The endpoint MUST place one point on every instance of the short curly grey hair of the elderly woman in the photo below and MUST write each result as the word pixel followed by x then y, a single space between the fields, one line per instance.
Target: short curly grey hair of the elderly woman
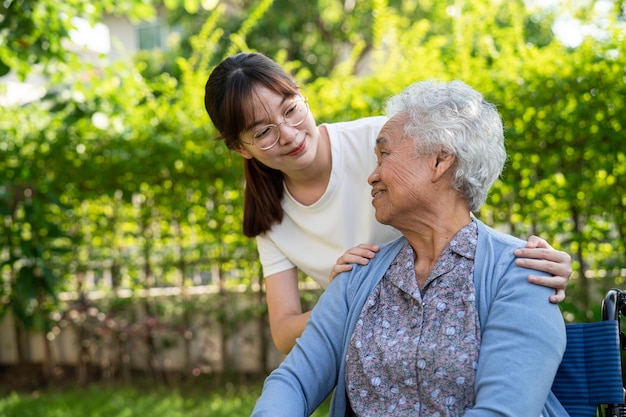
pixel 455 118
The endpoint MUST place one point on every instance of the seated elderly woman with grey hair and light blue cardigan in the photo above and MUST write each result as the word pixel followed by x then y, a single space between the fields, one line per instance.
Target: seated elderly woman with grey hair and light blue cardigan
pixel 441 323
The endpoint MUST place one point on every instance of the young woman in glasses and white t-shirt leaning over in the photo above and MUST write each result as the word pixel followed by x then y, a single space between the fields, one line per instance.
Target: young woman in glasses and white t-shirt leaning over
pixel 306 198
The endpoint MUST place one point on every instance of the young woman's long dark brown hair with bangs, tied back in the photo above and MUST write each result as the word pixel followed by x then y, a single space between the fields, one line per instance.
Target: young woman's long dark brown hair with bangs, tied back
pixel 228 94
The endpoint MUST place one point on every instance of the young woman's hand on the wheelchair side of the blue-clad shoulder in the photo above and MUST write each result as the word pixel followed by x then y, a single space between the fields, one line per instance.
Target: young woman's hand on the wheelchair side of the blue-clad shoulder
pixel 538 254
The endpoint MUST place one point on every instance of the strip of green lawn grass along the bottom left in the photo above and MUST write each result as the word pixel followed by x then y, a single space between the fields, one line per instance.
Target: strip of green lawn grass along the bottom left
pixel 131 401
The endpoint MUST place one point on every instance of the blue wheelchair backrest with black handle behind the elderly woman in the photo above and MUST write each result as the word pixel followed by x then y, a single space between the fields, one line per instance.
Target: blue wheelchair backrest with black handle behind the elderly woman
pixel 589 381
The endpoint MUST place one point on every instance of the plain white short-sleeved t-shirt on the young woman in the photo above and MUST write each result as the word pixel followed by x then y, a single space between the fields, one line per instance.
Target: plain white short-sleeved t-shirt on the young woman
pixel 312 237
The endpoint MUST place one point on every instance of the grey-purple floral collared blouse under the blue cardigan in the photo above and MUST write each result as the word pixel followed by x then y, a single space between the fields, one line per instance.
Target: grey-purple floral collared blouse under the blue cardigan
pixel 414 351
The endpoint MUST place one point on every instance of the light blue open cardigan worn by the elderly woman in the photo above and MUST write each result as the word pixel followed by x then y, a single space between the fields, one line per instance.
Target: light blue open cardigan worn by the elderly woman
pixel 523 339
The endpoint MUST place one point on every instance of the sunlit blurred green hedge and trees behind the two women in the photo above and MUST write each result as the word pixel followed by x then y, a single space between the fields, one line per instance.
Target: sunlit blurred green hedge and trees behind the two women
pixel 112 186
